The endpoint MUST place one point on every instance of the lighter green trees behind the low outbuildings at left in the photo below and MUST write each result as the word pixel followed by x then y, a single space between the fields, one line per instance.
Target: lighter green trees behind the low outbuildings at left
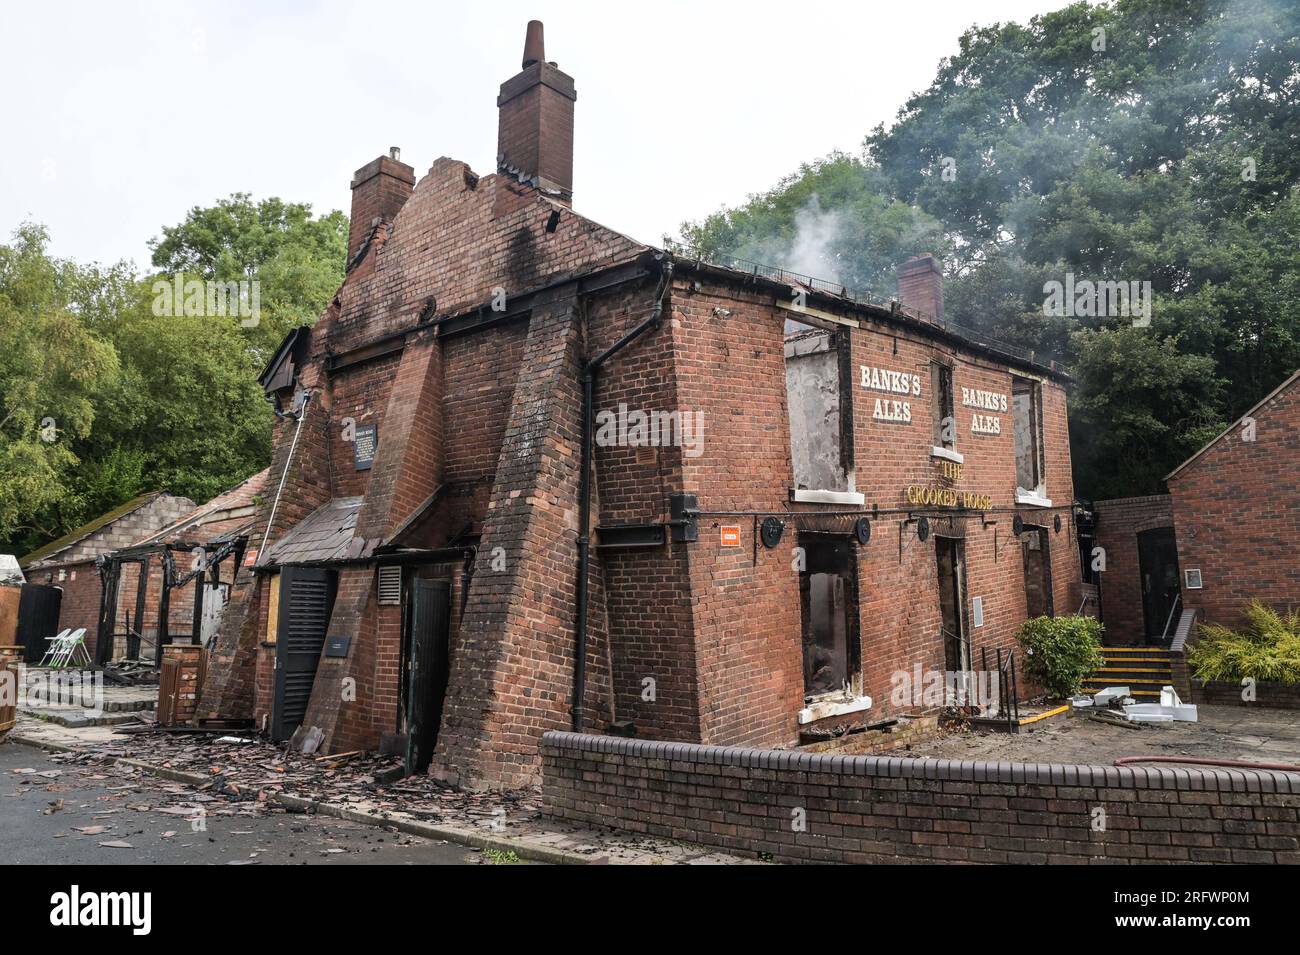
pixel 102 398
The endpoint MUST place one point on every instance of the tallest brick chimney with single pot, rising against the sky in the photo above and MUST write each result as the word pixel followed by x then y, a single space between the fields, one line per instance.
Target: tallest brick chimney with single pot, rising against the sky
pixel 535 138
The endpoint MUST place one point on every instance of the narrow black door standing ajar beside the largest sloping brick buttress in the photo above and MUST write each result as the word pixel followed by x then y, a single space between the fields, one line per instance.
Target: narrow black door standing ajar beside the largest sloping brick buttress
pixel 427 668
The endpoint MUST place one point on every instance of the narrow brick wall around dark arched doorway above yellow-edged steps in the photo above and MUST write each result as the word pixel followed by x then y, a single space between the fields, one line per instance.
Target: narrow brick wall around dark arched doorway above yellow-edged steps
pixel 1119 524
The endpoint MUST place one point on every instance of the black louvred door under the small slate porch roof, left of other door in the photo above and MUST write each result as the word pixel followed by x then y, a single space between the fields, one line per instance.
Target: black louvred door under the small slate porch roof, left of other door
pixel 306 600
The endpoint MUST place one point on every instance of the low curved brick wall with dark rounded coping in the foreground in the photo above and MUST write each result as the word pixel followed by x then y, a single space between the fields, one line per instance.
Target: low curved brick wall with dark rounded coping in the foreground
pixel 889 810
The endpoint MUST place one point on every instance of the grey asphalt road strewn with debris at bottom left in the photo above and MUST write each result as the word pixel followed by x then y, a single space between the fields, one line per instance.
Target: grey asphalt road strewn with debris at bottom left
pixel 44 813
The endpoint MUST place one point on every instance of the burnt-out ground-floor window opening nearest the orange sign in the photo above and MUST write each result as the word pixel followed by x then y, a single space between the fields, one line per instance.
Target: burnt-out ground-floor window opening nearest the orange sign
pixel 829 602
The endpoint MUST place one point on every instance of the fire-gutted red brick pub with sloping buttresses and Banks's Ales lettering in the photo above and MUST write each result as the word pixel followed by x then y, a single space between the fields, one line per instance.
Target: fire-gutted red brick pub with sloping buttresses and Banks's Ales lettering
pixel 532 475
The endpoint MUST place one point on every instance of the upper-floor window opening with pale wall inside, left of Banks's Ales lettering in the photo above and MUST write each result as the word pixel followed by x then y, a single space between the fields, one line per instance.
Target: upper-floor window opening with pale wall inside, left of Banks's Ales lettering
pixel 817 380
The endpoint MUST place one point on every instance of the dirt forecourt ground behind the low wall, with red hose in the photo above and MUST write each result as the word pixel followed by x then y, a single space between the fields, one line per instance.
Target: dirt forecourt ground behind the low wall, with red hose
pixel 1246 733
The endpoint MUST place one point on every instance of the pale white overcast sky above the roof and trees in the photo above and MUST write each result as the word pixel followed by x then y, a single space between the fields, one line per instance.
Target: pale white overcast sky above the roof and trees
pixel 122 116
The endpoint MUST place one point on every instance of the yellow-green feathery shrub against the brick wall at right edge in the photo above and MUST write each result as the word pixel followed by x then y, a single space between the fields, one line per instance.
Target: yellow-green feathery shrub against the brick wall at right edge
pixel 1267 650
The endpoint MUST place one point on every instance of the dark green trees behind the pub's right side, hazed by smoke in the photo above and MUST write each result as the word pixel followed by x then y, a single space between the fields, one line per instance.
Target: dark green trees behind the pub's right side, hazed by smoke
pixel 1150 141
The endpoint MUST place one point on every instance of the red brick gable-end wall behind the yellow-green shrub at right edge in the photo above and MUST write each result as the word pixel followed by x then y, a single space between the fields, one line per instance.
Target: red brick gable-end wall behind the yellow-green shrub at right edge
pixel 1237 509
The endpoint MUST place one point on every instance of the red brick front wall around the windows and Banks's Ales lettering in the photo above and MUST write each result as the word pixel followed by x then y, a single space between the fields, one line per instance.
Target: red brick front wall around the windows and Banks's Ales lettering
pixel 747 614
